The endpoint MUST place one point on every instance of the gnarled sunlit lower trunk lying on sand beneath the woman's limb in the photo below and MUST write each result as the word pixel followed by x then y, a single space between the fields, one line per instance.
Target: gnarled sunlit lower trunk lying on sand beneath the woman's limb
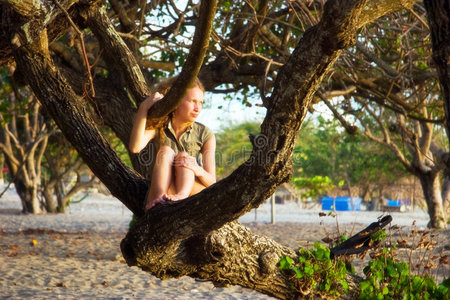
pixel 229 255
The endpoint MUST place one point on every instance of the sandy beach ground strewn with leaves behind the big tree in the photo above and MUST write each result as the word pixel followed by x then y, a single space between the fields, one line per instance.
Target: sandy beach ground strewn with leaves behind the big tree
pixel 77 255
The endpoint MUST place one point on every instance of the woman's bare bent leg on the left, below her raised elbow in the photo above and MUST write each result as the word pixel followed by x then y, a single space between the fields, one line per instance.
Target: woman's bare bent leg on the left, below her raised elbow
pixel 161 176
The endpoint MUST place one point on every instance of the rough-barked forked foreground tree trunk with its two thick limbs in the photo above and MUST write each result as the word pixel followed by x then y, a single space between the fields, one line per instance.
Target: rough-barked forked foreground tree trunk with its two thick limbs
pixel 198 236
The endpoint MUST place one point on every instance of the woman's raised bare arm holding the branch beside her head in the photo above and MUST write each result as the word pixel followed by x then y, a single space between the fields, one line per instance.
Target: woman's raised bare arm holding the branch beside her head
pixel 140 136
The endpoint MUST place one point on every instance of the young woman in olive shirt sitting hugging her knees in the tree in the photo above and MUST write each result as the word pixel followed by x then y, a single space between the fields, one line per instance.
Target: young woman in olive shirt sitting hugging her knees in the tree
pixel 184 160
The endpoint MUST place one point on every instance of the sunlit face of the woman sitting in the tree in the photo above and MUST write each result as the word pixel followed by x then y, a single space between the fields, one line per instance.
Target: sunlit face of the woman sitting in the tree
pixel 190 106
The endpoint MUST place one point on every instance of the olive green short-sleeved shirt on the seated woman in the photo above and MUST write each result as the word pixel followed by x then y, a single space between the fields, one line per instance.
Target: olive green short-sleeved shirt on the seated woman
pixel 190 141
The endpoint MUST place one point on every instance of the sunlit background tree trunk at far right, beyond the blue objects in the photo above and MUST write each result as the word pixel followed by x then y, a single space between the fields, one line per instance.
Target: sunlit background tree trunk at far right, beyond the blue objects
pixel 432 193
